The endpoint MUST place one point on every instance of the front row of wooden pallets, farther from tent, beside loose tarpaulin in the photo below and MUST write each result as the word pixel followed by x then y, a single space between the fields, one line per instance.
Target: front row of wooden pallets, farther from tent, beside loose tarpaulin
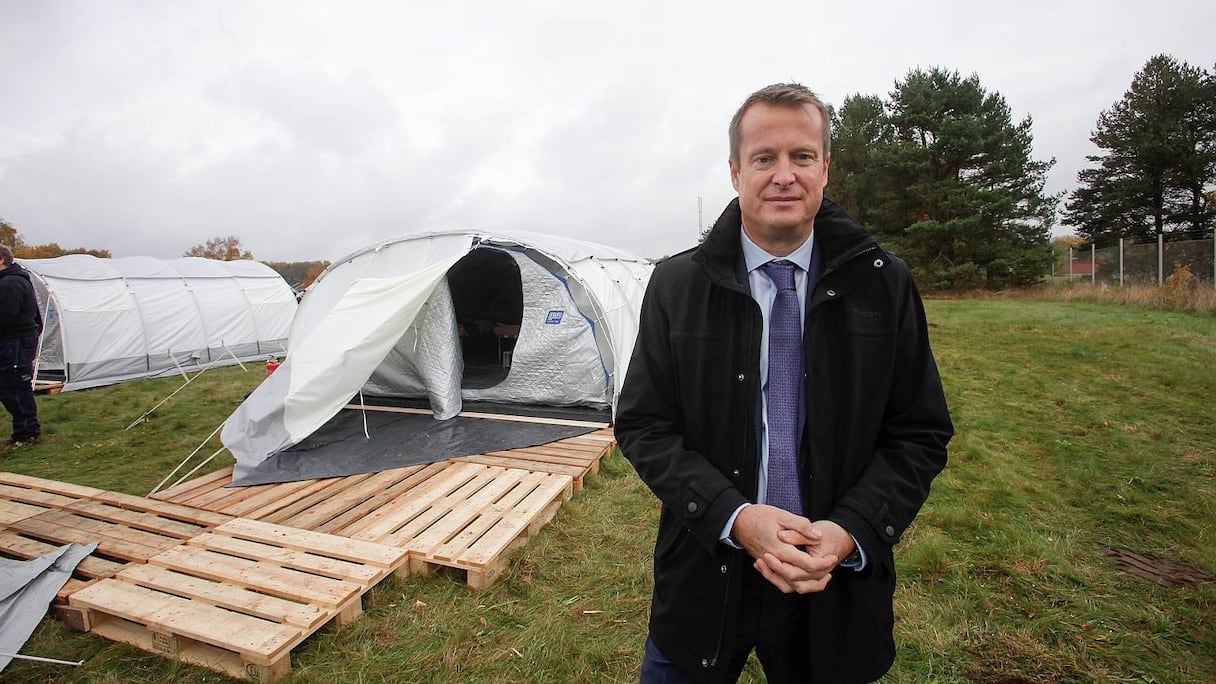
pixel 222 592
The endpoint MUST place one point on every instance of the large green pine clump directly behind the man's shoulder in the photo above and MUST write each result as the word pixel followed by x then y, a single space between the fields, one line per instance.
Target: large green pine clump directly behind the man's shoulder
pixel 952 184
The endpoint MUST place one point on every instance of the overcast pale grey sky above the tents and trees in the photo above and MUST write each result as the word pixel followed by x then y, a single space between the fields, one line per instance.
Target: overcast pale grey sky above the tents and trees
pixel 313 130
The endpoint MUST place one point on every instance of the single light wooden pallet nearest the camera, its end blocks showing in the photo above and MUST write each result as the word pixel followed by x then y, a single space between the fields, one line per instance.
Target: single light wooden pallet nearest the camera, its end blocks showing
pixel 239 598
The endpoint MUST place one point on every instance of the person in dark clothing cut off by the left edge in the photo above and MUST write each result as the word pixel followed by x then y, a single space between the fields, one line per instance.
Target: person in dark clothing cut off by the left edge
pixel 21 324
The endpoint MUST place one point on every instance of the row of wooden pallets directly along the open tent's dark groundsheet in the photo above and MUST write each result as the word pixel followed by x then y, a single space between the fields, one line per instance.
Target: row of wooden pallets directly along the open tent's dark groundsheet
pixel 468 513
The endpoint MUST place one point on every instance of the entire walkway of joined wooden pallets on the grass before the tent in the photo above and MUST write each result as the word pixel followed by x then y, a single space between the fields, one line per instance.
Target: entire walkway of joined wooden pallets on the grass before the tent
pixel 233 579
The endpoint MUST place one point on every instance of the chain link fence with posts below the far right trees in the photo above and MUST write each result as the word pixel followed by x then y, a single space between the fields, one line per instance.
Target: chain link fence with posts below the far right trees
pixel 1129 263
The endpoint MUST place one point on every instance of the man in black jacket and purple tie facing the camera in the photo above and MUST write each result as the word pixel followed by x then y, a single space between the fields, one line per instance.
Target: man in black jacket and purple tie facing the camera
pixel 806 582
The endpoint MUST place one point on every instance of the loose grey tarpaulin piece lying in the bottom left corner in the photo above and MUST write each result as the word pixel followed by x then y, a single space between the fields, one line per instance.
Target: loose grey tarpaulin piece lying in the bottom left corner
pixel 27 588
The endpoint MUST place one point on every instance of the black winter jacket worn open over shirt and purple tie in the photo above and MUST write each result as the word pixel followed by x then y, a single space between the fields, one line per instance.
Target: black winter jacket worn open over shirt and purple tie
pixel 877 429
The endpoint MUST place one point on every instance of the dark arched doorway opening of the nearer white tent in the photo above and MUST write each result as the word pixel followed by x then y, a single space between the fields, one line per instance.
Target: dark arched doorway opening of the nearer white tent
pixel 488 300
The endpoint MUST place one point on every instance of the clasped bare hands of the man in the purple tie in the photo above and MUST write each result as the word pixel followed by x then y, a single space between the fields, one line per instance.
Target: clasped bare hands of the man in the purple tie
pixel 791 552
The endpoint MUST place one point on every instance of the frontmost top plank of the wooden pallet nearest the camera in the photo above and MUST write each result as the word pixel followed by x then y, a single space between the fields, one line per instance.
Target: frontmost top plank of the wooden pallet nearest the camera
pixel 258 640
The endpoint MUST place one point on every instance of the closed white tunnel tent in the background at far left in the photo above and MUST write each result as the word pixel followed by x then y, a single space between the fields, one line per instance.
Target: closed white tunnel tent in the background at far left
pixel 109 321
